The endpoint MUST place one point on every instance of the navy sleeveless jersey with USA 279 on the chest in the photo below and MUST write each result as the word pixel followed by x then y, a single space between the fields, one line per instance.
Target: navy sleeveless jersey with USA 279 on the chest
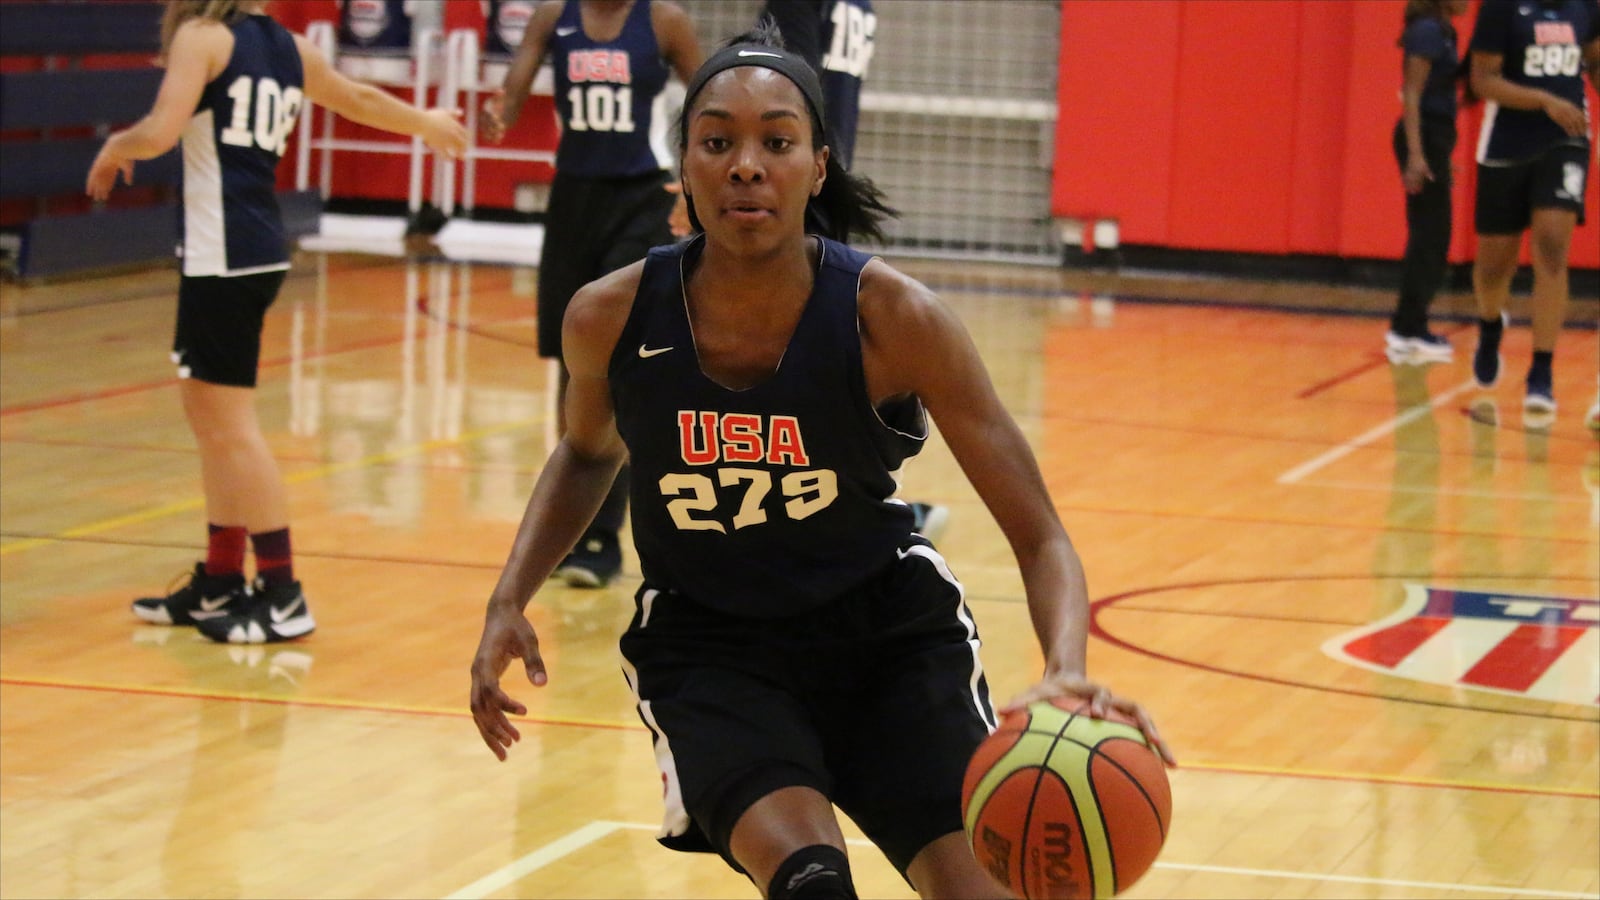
pixel 770 500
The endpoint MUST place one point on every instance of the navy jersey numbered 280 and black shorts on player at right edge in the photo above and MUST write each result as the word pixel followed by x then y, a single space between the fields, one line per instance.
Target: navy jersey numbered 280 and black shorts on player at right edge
pixel 1526 159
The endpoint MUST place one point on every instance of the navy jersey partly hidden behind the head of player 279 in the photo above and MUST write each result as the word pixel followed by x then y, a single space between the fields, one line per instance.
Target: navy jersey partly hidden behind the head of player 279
pixel 836 38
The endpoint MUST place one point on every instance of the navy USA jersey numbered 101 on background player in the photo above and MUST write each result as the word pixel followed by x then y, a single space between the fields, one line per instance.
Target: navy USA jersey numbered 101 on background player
pixel 609 98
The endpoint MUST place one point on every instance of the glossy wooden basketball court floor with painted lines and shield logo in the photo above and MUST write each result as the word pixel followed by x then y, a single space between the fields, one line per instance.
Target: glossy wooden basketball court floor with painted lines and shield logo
pixel 1247 478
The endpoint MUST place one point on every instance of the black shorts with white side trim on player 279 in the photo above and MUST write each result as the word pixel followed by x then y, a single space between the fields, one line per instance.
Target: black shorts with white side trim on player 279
pixel 878 701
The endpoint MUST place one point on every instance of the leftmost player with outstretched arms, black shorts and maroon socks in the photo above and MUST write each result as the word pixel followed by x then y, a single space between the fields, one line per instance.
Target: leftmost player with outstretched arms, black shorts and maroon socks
pixel 233 92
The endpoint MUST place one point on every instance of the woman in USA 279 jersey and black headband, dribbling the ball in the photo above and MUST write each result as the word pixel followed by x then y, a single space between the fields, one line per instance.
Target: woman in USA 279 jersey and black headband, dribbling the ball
pixel 794 643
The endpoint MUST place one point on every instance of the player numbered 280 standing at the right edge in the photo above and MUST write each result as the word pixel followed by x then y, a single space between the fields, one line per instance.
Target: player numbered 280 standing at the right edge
pixel 1529 62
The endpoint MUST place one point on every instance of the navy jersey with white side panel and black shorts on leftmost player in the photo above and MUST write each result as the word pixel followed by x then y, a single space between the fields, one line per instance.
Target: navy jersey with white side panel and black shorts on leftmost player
pixel 234 249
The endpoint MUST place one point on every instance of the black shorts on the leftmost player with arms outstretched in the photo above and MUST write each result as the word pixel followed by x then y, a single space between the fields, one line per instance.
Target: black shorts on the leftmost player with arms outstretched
pixel 218 335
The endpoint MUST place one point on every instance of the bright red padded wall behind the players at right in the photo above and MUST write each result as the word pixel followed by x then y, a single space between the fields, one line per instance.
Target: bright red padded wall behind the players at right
pixel 1249 126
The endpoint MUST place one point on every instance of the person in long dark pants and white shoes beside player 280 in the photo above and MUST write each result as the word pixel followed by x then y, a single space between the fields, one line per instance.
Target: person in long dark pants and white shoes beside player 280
pixel 1425 140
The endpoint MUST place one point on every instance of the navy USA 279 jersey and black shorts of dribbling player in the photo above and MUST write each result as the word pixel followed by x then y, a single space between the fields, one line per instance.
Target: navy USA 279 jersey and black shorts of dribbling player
pixel 790 617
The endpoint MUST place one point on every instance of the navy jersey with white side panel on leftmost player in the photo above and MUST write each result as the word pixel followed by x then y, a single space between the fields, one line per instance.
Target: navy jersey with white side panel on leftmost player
pixel 231 153
